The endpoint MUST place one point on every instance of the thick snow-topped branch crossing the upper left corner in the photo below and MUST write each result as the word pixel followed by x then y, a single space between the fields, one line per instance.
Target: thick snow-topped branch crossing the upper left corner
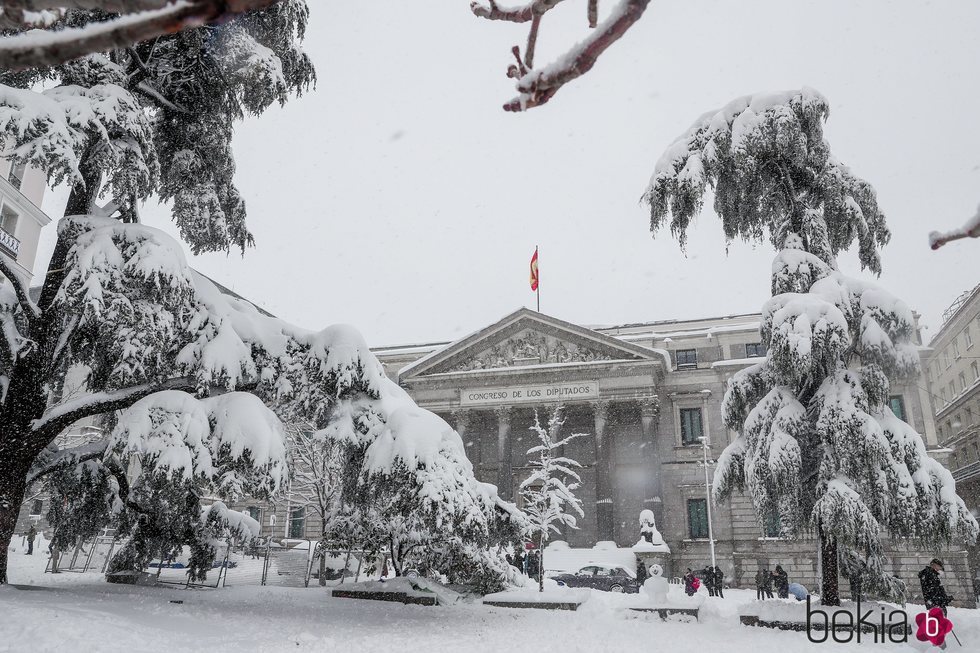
pixel 139 21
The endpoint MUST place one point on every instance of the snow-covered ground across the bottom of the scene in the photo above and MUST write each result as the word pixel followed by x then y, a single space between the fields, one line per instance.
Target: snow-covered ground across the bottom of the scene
pixel 80 612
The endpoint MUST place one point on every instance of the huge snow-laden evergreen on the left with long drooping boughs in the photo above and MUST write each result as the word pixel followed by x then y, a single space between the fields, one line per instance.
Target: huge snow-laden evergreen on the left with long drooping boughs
pixel 120 304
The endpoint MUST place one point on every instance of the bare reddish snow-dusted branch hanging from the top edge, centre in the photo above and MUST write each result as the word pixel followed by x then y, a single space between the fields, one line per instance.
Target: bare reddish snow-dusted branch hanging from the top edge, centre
pixel 538 86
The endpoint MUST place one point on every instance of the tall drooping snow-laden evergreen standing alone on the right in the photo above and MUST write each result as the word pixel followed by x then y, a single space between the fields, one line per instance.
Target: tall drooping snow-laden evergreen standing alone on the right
pixel 817 445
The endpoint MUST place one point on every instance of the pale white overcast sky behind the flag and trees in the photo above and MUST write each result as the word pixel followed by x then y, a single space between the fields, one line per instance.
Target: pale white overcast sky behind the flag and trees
pixel 400 198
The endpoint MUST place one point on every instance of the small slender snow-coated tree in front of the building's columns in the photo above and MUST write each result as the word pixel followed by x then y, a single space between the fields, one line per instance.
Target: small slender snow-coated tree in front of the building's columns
pixel 549 490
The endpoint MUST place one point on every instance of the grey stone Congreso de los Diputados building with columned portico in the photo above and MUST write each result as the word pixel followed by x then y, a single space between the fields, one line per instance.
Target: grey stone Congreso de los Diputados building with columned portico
pixel 647 395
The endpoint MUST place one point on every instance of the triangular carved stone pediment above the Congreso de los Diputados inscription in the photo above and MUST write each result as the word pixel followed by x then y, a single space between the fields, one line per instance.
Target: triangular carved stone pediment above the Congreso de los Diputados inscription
pixel 525 338
